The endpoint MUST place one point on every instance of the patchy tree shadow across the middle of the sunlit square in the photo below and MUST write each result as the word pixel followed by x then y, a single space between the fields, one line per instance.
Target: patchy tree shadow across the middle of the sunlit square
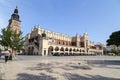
pixel 49 67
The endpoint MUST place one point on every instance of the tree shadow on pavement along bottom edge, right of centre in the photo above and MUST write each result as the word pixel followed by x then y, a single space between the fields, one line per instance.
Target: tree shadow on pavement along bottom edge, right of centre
pixel 70 76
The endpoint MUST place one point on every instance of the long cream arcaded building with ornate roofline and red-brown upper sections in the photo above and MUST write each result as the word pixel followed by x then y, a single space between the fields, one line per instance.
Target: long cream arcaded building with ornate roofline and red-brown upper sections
pixel 46 42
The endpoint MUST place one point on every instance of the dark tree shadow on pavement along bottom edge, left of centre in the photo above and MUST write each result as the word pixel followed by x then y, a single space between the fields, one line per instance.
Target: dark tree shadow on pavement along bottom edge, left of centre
pixel 24 76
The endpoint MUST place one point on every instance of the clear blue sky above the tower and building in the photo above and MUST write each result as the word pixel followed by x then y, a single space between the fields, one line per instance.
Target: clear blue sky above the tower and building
pixel 97 17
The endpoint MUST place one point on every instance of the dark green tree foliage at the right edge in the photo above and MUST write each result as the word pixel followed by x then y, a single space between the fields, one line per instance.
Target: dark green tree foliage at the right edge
pixel 114 39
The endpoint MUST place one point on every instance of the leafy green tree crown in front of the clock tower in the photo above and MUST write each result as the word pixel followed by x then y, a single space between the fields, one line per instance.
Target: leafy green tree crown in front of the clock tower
pixel 12 39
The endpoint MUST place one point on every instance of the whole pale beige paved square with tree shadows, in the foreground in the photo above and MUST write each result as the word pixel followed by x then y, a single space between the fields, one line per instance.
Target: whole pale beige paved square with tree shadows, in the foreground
pixel 62 68
